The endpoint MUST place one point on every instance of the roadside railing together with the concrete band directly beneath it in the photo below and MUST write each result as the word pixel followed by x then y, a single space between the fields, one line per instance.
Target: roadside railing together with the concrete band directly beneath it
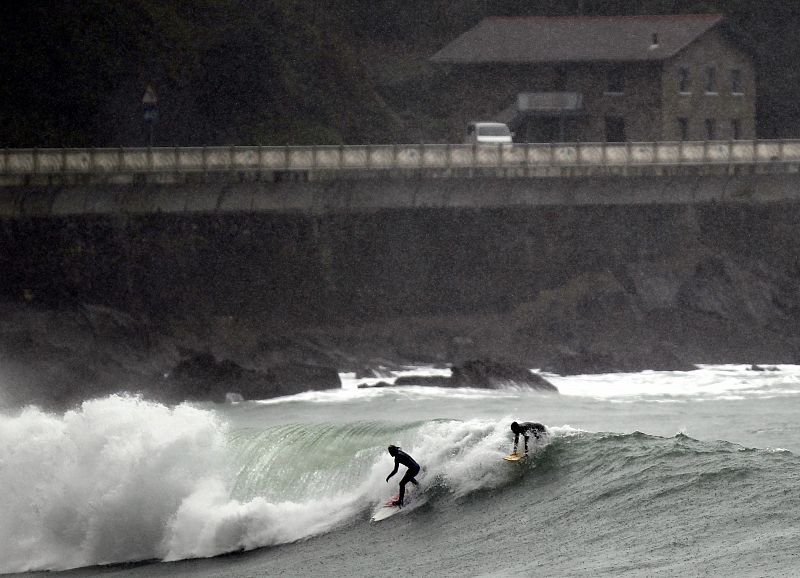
pixel 324 179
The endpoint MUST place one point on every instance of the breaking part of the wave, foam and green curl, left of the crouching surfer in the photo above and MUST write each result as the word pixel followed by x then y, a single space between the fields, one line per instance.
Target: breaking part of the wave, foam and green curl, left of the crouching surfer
pixel 122 479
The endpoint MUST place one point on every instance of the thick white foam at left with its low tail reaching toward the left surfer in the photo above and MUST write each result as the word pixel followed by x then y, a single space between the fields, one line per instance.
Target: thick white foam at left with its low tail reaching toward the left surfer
pixel 123 479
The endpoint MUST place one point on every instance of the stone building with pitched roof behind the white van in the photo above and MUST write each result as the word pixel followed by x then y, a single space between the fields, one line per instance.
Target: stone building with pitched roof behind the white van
pixel 594 79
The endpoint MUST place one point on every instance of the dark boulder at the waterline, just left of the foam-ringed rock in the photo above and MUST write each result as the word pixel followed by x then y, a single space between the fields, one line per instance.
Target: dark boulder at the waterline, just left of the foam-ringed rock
pixel 201 377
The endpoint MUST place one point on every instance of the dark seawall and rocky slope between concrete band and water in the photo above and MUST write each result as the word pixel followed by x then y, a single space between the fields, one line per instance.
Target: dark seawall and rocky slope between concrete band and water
pixel 567 288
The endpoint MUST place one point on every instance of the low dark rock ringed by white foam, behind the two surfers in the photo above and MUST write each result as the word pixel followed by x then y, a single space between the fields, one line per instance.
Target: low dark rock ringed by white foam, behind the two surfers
pixel 483 374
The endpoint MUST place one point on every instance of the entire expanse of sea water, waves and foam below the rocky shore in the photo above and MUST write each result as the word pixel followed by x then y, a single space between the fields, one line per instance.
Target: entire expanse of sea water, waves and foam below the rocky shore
pixel 644 474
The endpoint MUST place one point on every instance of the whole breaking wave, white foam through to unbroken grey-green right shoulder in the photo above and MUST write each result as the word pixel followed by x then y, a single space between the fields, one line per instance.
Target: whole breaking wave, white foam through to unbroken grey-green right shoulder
pixel 122 479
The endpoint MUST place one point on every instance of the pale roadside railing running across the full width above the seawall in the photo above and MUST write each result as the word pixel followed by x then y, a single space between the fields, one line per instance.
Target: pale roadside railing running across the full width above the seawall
pixel 387 157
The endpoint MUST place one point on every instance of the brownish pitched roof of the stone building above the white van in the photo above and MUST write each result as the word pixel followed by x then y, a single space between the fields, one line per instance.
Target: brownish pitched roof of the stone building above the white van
pixel 575 39
